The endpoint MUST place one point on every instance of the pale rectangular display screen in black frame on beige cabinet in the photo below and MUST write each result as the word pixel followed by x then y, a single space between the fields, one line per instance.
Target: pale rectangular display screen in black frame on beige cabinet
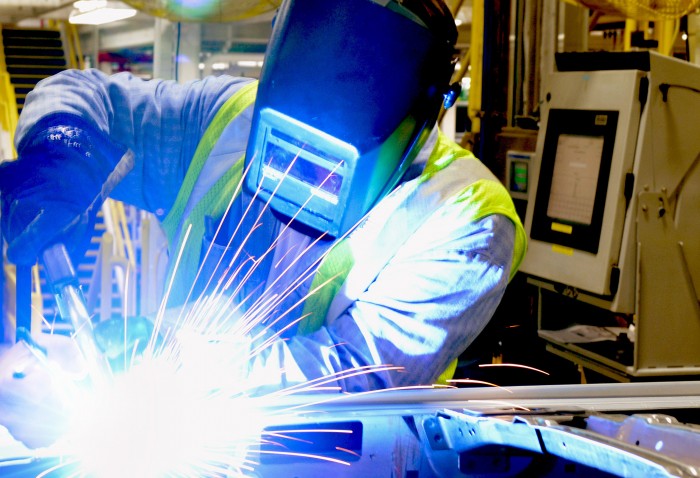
pixel 575 178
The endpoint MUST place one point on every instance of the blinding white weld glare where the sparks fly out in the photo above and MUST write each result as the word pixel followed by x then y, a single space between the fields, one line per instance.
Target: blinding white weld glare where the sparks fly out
pixel 153 422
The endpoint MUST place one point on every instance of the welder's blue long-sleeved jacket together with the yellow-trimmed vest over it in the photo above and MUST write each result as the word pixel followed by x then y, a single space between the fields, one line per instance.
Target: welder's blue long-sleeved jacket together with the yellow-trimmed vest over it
pixel 412 286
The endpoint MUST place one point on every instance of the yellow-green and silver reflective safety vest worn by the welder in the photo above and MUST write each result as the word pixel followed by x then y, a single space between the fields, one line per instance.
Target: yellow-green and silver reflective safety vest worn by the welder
pixel 451 174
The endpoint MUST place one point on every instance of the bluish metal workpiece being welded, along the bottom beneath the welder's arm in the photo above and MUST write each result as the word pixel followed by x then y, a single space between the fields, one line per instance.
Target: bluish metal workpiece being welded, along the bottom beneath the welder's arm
pixel 484 432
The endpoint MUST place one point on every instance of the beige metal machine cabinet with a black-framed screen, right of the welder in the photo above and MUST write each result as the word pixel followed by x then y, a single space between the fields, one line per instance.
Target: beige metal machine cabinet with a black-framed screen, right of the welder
pixel 635 262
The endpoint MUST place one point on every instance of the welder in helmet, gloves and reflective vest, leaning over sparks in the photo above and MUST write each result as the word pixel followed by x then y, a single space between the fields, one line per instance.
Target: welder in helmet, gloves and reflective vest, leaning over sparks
pixel 337 152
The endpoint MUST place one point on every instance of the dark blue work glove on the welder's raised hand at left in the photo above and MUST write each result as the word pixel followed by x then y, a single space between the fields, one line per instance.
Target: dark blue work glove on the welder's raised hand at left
pixel 65 170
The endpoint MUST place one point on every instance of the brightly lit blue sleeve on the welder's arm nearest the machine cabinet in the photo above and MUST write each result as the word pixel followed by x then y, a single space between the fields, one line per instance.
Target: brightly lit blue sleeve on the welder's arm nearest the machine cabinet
pixel 423 310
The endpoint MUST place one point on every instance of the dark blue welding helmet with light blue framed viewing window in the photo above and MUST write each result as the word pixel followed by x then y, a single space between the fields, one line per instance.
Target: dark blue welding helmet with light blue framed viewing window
pixel 349 92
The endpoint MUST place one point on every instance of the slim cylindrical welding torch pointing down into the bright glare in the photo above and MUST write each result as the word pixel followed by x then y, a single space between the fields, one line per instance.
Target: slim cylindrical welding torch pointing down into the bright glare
pixel 72 306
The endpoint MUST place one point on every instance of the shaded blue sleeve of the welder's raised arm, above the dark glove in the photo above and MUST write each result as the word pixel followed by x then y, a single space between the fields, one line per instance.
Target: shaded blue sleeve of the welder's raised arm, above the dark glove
pixel 160 121
